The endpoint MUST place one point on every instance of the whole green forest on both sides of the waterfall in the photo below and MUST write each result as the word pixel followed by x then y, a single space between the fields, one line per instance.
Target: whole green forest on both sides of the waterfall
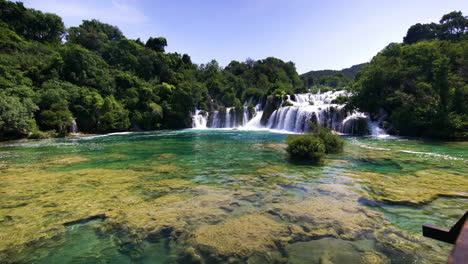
pixel 92 76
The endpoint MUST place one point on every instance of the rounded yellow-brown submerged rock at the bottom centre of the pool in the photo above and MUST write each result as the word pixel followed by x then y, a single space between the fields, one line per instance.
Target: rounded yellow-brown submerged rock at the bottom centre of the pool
pixel 240 239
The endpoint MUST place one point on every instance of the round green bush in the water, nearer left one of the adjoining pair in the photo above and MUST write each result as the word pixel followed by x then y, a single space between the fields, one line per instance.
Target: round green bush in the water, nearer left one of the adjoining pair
pixel 305 147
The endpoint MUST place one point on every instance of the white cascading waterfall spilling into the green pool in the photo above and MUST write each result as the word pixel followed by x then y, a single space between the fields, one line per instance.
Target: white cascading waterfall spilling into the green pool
pixel 318 108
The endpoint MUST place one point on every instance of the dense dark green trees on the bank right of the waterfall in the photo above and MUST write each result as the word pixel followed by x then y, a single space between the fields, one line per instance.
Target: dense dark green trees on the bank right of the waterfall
pixel 422 84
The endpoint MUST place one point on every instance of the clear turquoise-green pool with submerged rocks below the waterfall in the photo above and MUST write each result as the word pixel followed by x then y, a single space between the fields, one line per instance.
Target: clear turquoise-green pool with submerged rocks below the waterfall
pixel 207 196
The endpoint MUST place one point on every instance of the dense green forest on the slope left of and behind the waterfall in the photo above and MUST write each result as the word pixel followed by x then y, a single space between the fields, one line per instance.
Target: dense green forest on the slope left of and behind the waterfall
pixel 93 75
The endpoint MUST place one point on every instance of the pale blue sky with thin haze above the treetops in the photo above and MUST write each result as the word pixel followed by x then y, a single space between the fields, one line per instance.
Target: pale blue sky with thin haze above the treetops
pixel 314 34
